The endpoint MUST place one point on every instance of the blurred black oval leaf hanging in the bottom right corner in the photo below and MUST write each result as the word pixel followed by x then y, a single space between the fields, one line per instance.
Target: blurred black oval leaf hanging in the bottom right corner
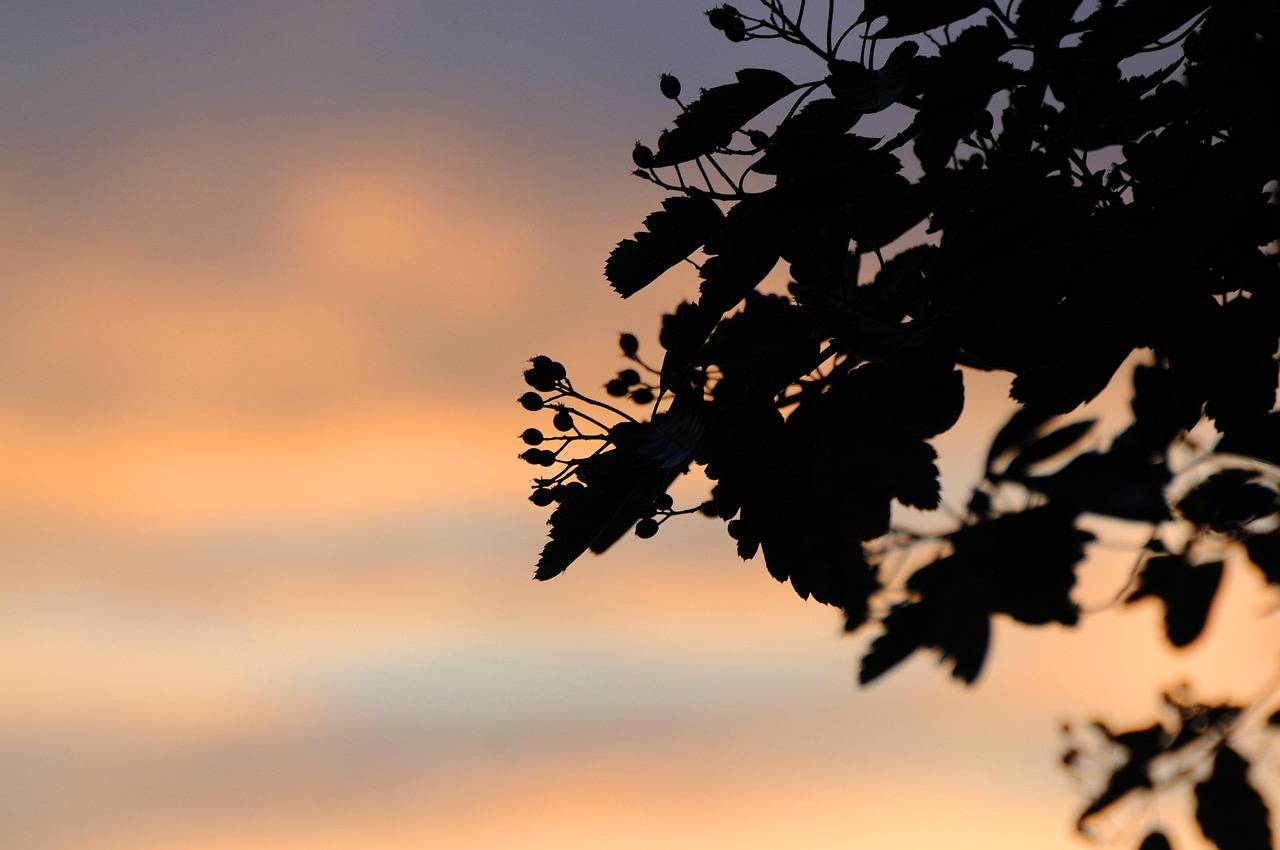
pixel 1229 810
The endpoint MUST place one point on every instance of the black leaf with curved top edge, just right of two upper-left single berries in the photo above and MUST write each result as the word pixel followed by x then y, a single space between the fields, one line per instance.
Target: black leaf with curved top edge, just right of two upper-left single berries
pixel 710 122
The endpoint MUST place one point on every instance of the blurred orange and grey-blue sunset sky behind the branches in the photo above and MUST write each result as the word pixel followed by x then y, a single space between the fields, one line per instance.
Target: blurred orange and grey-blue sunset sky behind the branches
pixel 269 275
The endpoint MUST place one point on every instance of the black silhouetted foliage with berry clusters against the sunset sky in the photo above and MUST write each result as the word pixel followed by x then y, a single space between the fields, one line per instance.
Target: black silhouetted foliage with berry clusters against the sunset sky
pixel 811 413
